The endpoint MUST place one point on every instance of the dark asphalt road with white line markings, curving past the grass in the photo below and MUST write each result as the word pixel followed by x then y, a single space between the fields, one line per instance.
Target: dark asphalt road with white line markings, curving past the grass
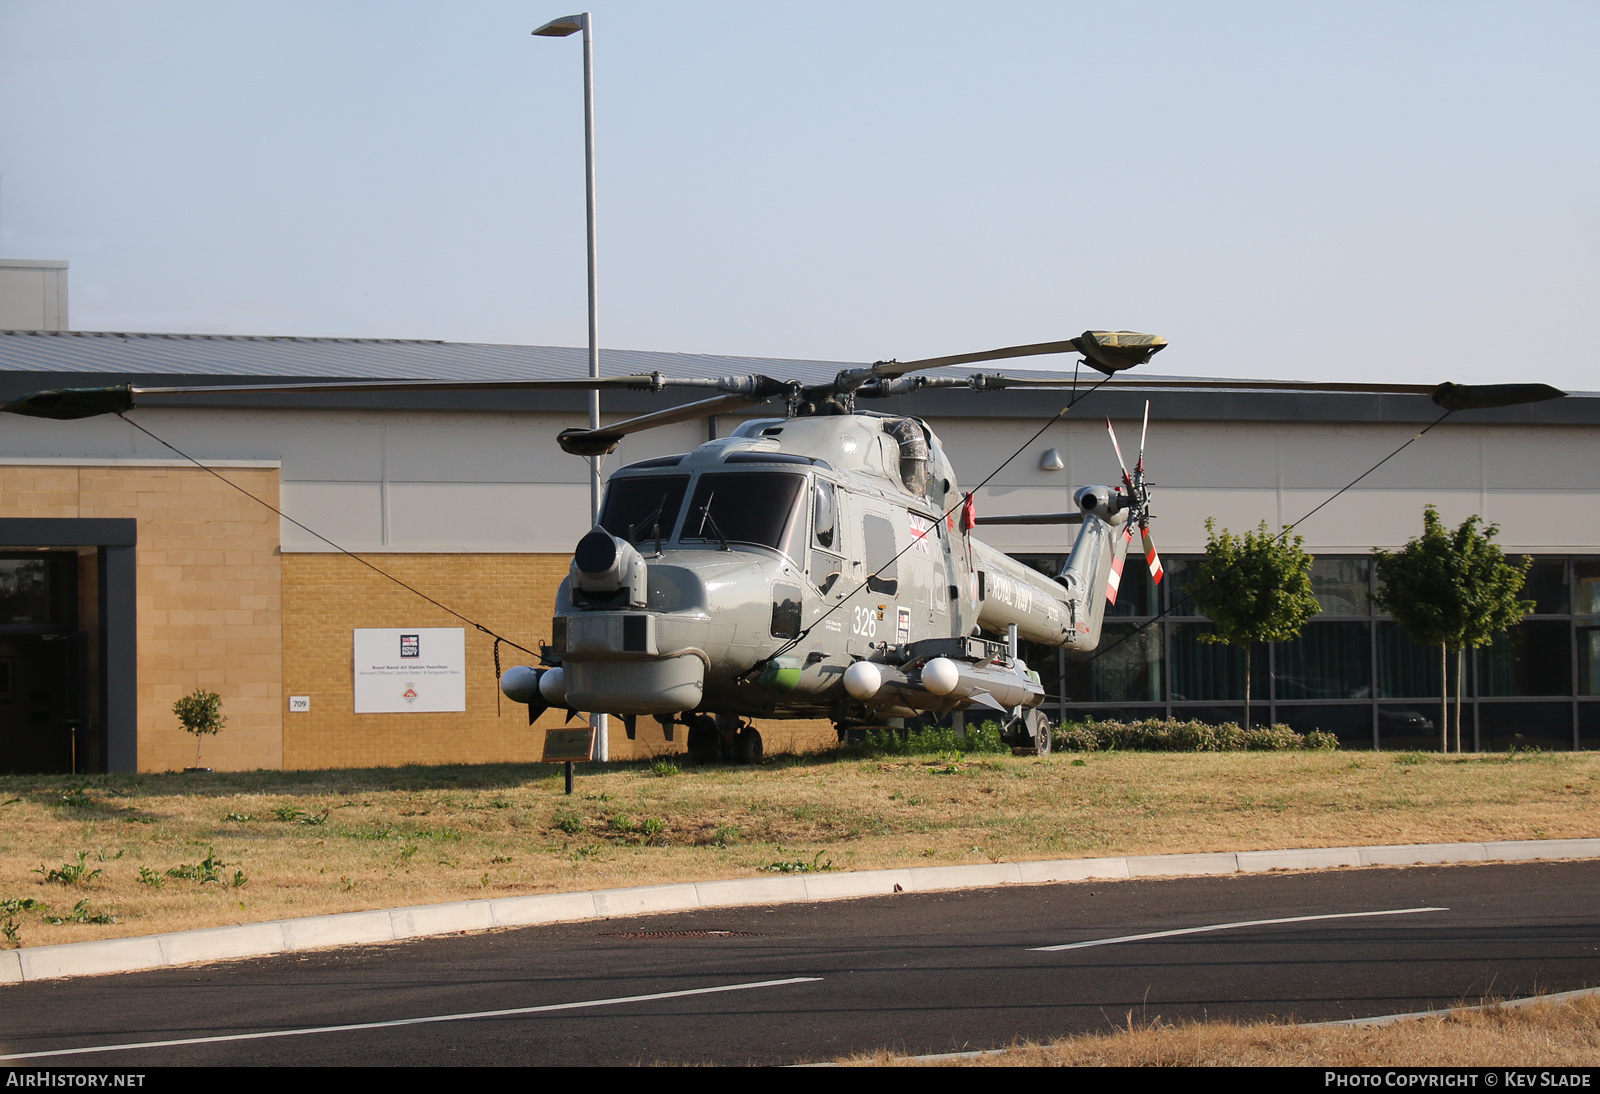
pixel 918 973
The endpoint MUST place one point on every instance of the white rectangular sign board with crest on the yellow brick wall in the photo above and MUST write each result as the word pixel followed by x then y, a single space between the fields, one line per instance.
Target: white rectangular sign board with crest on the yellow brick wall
pixel 410 671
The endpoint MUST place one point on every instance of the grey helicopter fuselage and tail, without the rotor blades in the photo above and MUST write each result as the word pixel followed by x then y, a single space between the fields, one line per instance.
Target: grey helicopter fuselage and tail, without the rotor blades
pixel 756 573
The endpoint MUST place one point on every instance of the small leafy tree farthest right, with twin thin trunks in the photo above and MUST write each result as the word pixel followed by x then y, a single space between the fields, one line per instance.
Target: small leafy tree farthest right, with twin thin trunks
pixel 1452 589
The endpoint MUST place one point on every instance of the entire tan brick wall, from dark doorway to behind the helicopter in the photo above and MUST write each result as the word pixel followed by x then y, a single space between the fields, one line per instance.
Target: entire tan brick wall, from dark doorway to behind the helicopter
pixel 222 609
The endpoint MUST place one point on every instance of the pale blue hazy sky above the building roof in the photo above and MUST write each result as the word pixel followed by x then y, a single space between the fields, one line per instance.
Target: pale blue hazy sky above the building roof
pixel 1367 191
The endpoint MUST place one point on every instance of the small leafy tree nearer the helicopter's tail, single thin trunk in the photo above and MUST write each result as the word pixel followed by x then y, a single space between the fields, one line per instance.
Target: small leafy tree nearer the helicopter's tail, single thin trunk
pixel 1255 588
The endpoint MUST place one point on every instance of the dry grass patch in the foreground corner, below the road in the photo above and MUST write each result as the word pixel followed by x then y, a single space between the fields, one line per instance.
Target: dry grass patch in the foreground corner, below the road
pixel 1562 1034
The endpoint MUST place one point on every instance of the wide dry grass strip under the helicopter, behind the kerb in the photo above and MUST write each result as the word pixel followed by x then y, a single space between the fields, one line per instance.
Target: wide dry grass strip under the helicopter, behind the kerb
pixel 342 840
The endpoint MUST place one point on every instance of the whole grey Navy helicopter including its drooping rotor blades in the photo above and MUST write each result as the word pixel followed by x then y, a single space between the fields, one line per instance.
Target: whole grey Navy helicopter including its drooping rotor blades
pixel 822 564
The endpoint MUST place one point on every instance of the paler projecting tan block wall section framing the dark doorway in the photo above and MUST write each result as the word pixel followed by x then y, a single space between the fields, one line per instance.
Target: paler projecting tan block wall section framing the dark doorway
pixel 209 596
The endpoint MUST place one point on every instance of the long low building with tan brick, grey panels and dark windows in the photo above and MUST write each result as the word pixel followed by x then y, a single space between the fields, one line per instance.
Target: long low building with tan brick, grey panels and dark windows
pixel 130 575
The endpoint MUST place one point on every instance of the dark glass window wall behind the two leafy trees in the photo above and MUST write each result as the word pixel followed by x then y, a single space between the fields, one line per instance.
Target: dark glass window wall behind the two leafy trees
pixel 1353 673
